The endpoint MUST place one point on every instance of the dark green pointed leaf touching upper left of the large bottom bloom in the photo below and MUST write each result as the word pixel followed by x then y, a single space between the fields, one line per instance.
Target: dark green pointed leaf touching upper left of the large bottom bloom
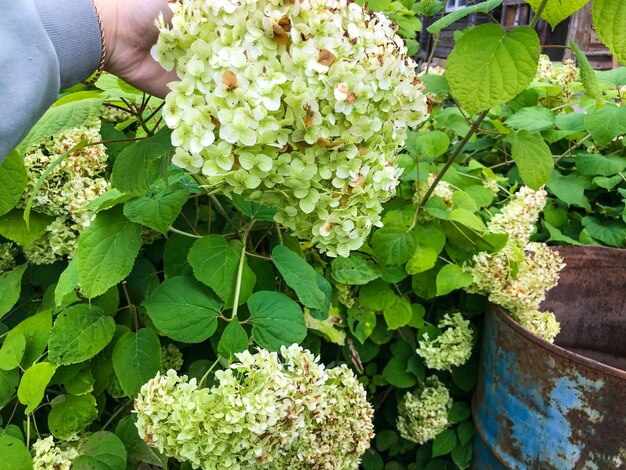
pixel 136 359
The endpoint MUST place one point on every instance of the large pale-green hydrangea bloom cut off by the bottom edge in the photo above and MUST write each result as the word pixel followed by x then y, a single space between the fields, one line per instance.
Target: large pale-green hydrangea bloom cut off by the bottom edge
pixel 264 412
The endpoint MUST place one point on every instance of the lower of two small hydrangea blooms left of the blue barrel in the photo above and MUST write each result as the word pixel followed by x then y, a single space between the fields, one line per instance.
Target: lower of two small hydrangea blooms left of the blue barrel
pixel 423 414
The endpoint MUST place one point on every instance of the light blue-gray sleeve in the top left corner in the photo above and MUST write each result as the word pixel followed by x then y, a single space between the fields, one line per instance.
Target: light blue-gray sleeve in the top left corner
pixel 45 45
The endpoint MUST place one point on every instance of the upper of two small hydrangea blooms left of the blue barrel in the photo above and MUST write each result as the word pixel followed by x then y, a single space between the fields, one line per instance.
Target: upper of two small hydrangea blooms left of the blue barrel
pixel 453 347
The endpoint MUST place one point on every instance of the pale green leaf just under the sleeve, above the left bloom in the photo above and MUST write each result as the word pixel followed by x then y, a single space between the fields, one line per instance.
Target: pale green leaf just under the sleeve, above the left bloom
pixel 60 118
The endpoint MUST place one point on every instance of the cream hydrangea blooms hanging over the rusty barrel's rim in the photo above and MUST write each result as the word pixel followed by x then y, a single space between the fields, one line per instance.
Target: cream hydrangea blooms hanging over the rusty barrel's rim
pixel 518 277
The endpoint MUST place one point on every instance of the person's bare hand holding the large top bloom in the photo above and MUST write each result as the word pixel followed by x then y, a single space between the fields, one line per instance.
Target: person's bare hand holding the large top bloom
pixel 130 31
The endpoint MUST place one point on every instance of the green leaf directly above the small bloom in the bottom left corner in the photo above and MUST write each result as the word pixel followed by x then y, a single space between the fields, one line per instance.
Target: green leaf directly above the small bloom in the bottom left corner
pixel 71 414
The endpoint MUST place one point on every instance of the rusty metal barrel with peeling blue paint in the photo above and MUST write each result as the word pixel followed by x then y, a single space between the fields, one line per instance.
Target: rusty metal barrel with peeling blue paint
pixel 562 406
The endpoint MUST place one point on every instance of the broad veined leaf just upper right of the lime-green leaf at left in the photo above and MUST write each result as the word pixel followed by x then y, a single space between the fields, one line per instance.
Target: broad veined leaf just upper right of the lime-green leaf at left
pixel 79 333
